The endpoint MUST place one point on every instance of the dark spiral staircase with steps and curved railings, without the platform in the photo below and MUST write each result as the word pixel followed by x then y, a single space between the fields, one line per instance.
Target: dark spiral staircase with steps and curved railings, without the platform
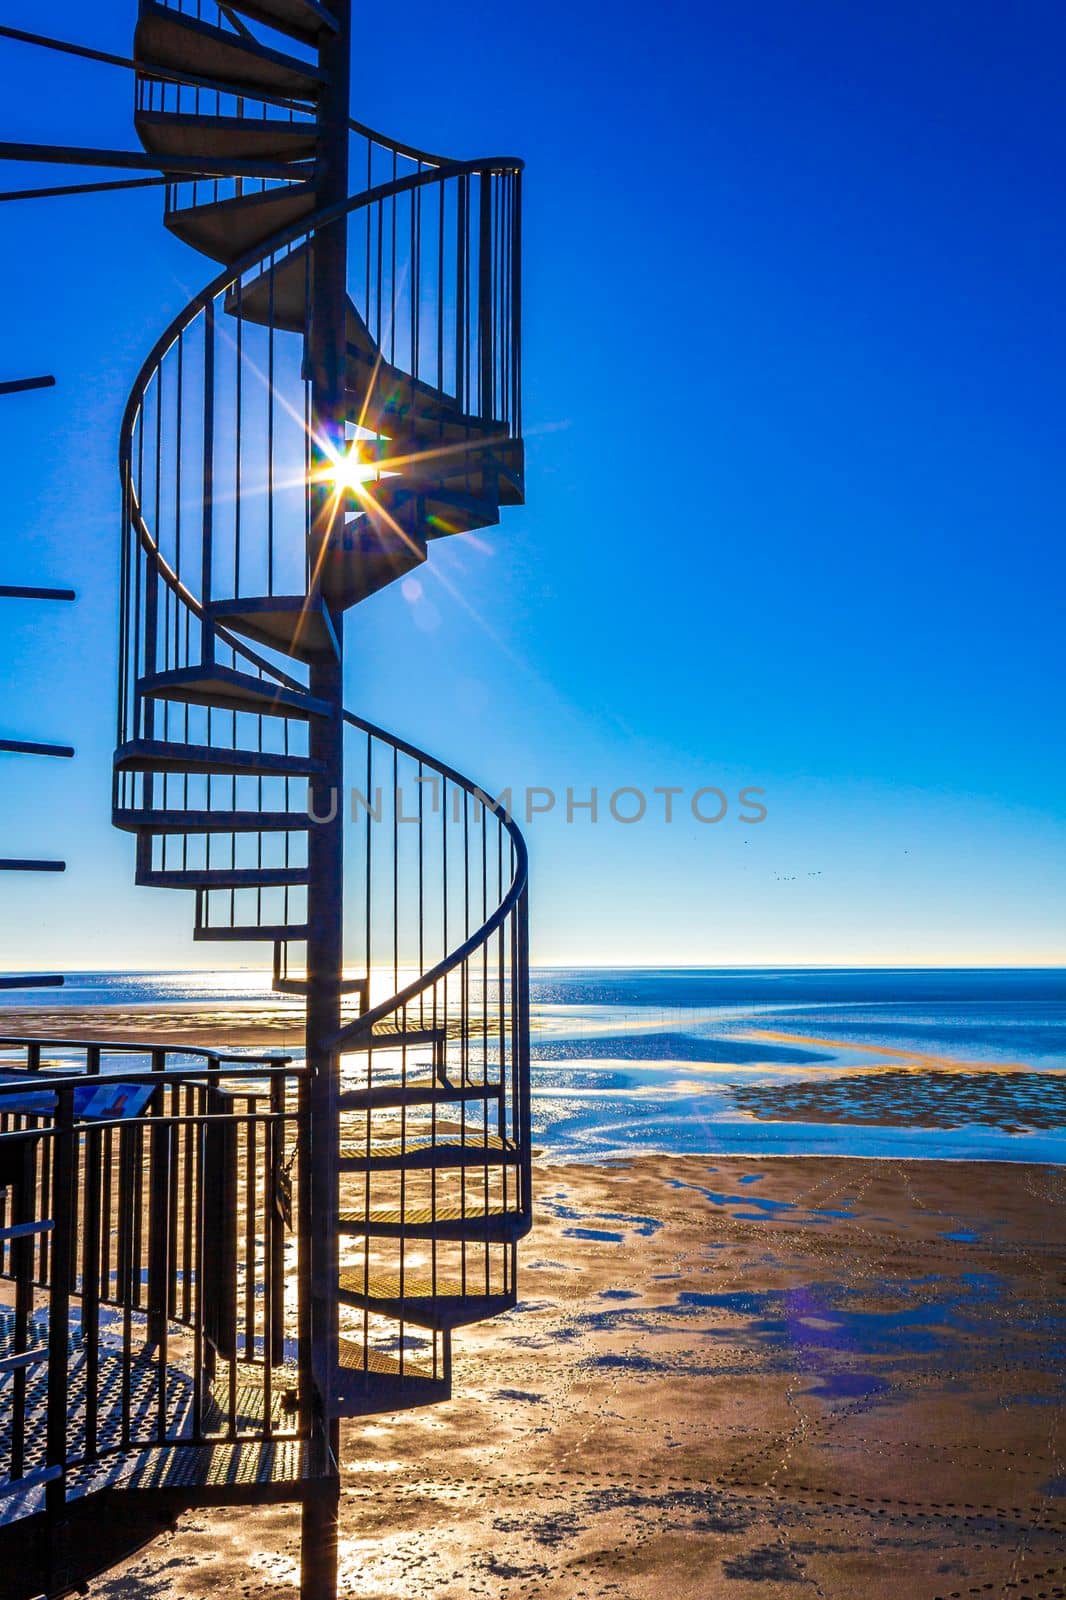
pixel 343 396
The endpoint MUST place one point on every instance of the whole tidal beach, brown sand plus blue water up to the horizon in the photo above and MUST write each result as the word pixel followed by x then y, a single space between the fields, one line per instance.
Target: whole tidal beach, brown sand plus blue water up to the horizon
pixel 838 1369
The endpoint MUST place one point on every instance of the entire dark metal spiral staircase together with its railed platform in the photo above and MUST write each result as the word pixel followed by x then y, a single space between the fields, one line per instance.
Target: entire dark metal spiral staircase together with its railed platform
pixel 207 1263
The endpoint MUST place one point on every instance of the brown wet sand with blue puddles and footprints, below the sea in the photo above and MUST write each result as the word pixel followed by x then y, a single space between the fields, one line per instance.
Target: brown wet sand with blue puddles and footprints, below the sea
pixel 726 1377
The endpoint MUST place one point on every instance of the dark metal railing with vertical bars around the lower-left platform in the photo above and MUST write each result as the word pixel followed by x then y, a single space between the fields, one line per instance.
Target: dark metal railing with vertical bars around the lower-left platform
pixel 151 1262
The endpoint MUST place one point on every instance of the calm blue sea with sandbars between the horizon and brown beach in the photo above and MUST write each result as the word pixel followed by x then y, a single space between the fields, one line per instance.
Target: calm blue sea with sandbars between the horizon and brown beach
pixel 948 1063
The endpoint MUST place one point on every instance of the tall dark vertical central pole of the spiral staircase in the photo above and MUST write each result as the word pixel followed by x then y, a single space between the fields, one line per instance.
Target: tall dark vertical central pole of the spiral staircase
pixel 326 850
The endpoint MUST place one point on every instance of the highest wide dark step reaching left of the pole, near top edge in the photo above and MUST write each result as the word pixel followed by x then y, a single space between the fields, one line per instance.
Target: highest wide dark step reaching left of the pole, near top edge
pixel 185 46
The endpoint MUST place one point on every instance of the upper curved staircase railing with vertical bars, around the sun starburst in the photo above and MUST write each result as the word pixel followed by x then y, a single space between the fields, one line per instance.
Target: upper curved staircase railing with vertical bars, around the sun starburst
pixel 215 455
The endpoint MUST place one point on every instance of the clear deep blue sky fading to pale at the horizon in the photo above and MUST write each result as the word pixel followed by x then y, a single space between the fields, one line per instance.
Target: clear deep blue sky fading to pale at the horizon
pixel 795 396
